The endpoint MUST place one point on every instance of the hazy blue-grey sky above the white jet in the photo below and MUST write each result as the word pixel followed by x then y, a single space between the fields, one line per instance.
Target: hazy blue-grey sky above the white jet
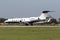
pixel 28 8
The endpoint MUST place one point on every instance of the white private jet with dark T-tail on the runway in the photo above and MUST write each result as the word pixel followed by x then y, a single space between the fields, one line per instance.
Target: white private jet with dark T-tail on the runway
pixel 43 18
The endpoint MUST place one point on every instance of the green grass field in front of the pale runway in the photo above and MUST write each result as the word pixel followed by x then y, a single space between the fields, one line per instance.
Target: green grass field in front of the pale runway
pixel 30 33
